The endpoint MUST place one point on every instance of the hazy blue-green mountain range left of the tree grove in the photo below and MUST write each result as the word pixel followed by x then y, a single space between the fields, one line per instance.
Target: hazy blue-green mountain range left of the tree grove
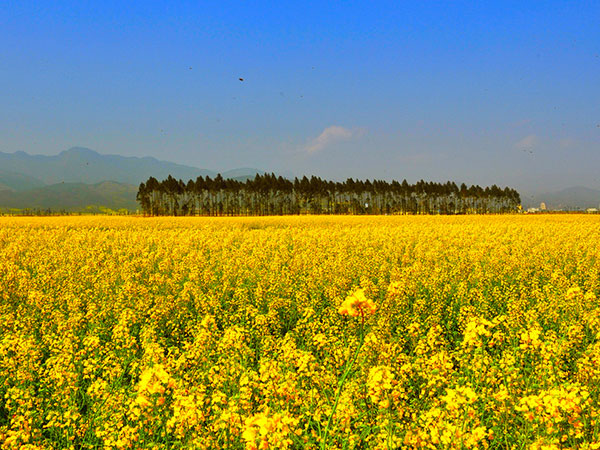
pixel 80 179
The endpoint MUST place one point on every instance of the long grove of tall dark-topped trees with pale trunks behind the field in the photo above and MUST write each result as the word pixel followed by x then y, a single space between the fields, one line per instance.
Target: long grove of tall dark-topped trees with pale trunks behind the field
pixel 271 195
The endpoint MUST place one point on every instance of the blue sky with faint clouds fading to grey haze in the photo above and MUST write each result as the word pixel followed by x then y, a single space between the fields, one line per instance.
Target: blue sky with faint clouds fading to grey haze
pixel 482 92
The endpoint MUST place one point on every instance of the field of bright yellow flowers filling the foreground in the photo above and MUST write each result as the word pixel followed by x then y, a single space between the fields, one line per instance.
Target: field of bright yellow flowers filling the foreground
pixel 300 332
